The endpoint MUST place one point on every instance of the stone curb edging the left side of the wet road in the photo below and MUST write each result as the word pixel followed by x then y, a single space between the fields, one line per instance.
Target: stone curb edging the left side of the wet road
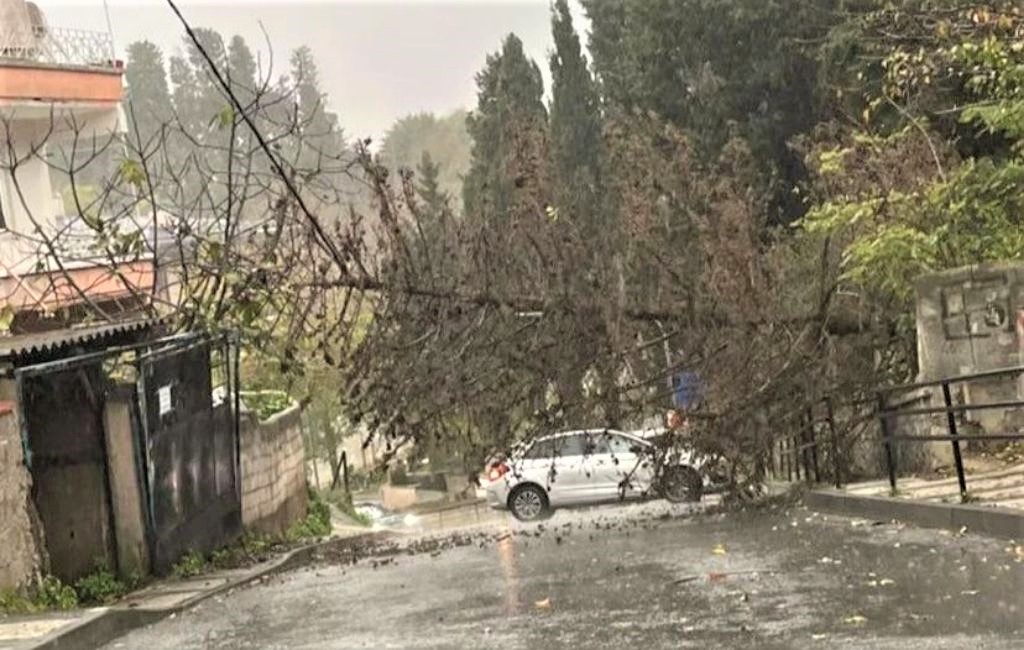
pixel 106 626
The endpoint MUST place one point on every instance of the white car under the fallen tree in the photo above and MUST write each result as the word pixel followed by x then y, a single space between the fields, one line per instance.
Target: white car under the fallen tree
pixel 589 467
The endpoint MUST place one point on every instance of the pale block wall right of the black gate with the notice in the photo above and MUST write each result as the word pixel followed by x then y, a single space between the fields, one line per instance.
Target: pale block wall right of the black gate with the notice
pixel 274 483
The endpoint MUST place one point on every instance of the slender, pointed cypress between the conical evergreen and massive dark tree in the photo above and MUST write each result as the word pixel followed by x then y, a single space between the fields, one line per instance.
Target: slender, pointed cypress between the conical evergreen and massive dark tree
pixel 576 125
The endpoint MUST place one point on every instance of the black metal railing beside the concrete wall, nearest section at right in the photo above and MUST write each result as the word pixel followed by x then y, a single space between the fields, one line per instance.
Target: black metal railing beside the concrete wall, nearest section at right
pixel 887 415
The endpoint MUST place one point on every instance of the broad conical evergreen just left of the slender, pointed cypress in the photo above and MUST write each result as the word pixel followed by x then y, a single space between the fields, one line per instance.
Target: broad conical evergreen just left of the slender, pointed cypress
pixel 509 132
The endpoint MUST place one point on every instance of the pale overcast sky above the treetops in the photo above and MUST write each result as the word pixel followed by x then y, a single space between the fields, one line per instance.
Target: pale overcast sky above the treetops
pixel 379 60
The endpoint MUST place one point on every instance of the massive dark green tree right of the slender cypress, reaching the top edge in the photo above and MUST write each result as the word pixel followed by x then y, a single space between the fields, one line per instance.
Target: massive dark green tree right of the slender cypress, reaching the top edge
pixel 719 69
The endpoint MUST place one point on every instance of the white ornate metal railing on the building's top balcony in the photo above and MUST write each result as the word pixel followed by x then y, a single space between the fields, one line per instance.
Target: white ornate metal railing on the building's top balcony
pixel 57 47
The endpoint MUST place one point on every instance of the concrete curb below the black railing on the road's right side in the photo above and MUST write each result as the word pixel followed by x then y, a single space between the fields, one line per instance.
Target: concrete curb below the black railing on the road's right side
pixel 1006 524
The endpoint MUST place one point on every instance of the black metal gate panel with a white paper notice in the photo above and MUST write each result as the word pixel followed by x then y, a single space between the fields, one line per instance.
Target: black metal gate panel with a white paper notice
pixel 189 437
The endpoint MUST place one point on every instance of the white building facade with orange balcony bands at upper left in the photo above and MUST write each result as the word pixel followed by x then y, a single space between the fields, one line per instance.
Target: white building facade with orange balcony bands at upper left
pixel 61 119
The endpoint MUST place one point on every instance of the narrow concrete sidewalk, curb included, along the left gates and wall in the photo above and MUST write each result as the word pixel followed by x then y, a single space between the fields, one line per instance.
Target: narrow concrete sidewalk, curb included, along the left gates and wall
pixel 93 628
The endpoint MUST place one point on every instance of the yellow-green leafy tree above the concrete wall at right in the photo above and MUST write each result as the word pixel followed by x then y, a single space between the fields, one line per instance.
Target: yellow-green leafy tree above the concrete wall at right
pixel 933 179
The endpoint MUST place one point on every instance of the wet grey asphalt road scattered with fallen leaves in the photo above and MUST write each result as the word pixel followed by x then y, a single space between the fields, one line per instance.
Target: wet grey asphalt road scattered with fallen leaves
pixel 644 577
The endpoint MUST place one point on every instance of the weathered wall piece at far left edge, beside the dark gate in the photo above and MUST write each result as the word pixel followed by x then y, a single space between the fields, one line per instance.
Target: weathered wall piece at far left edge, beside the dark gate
pixel 21 559
